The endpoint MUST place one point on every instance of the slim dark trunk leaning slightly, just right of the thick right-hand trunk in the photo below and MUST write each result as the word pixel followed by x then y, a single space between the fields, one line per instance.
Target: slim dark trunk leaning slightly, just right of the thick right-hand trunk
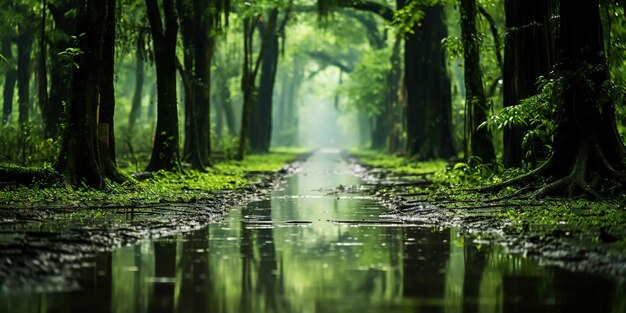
pixel 480 138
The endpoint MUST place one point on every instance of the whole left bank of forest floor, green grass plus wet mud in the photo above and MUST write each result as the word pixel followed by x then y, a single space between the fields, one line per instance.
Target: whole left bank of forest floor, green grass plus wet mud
pixel 46 232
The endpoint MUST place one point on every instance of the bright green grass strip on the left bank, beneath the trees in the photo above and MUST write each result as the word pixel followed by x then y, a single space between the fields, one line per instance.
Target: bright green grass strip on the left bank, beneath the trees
pixel 165 187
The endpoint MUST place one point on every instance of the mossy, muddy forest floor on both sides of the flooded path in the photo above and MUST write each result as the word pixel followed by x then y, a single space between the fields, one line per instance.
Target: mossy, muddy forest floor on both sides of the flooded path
pixel 45 233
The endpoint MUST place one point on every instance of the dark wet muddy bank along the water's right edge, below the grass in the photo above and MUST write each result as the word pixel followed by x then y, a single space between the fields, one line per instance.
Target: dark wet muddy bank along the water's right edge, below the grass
pixel 483 219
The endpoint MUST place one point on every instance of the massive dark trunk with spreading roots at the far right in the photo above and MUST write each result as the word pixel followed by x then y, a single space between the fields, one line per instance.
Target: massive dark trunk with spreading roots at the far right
pixel 587 147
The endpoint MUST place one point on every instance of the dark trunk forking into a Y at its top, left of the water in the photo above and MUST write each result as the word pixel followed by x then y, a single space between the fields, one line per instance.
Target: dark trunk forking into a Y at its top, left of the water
pixel 165 151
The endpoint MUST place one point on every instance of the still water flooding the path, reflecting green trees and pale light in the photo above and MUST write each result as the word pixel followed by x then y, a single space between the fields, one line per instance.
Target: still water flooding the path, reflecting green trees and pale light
pixel 295 252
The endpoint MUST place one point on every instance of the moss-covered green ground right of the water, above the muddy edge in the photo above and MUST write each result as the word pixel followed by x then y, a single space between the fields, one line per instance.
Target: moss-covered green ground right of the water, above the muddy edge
pixel 456 187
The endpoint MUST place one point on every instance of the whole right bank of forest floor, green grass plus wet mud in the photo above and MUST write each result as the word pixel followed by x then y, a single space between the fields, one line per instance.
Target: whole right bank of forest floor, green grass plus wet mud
pixel 577 234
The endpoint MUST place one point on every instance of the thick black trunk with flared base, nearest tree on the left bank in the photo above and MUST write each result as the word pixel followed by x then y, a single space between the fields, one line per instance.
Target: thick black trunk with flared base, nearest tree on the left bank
pixel 79 159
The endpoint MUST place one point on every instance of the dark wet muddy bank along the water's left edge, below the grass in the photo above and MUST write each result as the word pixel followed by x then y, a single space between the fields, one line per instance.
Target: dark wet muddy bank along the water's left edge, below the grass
pixel 40 247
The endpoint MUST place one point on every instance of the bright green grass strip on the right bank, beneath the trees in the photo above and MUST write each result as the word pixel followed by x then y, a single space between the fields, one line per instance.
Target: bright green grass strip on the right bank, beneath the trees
pixel 455 186
